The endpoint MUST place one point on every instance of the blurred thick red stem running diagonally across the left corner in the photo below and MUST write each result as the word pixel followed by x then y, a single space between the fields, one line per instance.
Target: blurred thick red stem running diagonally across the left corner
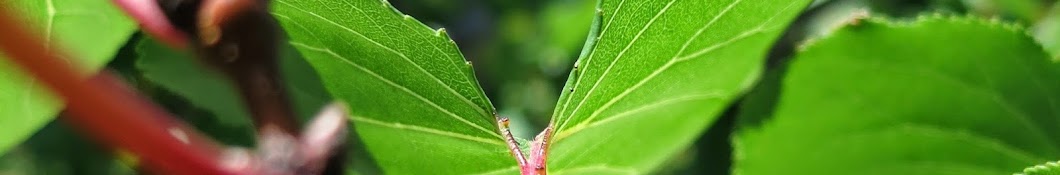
pixel 111 113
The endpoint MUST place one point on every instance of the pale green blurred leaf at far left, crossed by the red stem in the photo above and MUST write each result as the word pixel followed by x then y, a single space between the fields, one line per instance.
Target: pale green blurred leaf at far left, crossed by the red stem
pixel 90 31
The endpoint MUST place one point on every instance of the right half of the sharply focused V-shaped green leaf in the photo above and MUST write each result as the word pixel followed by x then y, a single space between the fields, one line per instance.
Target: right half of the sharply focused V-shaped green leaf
pixel 656 76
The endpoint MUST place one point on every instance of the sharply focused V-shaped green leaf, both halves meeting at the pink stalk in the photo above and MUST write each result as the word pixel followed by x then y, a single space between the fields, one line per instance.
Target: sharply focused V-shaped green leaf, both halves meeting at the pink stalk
pixel 419 109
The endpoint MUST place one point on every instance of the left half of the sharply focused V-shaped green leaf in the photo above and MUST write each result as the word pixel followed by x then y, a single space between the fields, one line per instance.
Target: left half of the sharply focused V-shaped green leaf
pixel 412 96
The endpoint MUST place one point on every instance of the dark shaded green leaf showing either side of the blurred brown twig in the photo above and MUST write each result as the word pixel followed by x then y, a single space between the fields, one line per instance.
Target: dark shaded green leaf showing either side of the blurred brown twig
pixel 208 90
